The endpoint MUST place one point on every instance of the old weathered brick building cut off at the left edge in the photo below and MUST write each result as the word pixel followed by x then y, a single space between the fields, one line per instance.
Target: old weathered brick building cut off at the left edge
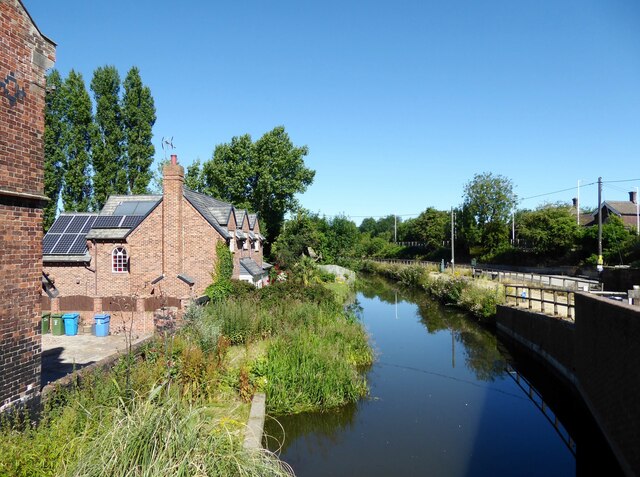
pixel 25 55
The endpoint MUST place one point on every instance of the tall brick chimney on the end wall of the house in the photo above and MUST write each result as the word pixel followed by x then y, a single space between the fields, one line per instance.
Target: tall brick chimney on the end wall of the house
pixel 172 182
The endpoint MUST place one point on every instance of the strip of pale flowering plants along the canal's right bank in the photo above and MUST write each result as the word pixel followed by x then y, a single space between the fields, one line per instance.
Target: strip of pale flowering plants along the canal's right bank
pixel 478 297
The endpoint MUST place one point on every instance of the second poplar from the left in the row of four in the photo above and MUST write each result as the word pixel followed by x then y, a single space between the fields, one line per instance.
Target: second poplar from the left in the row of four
pixel 76 191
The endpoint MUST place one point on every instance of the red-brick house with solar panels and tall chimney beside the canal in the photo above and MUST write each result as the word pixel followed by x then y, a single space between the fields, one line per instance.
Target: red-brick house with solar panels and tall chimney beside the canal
pixel 142 252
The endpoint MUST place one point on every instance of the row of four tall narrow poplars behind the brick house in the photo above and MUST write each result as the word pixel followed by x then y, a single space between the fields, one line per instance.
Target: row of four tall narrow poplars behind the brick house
pixel 95 149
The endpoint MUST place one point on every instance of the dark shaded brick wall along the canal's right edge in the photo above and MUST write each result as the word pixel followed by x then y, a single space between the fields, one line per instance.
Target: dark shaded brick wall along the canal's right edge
pixel 599 355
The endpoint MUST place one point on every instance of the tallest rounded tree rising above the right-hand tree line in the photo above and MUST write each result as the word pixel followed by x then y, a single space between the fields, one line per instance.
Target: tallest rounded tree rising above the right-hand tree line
pixel 488 202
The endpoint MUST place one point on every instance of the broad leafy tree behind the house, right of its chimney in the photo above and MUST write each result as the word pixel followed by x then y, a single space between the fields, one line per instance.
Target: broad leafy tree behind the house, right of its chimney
pixel 263 176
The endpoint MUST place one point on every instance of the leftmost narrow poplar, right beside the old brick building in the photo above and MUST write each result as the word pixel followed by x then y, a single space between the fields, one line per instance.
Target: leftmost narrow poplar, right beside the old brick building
pixel 55 135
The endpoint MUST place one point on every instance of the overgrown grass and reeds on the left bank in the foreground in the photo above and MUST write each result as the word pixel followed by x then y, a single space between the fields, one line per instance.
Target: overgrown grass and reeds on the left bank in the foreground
pixel 179 406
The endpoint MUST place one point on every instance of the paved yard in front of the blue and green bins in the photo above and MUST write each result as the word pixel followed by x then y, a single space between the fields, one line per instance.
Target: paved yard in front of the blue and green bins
pixel 62 354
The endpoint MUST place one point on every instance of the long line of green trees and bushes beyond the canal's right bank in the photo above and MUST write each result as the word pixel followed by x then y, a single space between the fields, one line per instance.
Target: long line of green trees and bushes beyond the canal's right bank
pixel 483 228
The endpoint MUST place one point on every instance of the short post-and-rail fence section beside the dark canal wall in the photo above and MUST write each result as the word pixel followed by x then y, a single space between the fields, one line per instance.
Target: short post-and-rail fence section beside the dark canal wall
pixel 544 300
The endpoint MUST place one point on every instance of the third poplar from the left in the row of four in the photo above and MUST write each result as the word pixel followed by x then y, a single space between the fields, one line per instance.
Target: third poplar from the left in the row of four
pixel 109 173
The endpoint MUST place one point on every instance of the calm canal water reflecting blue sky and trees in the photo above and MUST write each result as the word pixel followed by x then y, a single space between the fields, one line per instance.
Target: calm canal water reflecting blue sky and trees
pixel 446 399
